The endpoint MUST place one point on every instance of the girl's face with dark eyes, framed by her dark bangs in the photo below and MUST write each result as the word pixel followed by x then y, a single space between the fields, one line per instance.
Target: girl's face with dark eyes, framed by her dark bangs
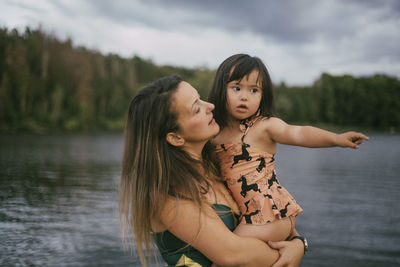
pixel 244 96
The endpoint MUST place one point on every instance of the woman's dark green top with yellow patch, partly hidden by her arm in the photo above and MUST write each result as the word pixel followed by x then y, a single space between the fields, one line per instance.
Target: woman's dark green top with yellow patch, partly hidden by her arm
pixel 176 252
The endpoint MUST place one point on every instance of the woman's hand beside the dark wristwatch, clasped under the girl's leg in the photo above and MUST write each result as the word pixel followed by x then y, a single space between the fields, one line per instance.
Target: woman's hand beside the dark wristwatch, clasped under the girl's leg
pixel 291 252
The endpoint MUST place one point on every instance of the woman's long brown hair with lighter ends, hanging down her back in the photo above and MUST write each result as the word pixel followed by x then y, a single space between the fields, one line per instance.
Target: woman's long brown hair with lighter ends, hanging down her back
pixel 152 169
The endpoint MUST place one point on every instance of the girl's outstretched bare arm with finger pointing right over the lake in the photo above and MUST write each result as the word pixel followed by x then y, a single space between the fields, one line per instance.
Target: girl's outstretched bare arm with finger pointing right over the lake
pixel 309 136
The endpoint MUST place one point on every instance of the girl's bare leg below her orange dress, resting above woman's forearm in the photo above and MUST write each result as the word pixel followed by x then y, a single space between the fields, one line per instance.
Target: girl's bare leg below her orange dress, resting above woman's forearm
pixel 275 231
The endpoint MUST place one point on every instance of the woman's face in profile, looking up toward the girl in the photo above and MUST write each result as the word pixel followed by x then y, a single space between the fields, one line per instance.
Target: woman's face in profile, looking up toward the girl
pixel 195 117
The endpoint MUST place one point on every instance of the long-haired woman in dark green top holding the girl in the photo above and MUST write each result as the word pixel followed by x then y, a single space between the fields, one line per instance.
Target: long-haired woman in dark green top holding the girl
pixel 171 190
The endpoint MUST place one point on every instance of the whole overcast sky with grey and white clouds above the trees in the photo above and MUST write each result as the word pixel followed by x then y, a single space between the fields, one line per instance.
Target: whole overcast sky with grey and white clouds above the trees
pixel 296 39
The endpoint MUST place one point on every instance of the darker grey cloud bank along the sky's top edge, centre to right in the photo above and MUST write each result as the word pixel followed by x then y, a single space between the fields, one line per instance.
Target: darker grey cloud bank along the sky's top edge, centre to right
pixel 286 21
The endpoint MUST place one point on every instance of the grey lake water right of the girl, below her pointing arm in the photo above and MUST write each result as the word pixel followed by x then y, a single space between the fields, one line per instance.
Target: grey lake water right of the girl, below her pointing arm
pixel 350 200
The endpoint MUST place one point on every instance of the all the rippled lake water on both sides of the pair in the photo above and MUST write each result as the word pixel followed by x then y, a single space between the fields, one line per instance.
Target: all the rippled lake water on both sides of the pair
pixel 58 201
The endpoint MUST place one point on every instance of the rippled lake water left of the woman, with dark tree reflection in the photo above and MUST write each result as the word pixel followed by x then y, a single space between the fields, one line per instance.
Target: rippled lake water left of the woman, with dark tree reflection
pixel 59 201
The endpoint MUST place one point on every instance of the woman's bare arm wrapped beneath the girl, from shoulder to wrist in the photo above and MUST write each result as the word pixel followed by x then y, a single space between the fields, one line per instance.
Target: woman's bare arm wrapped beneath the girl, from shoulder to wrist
pixel 208 234
